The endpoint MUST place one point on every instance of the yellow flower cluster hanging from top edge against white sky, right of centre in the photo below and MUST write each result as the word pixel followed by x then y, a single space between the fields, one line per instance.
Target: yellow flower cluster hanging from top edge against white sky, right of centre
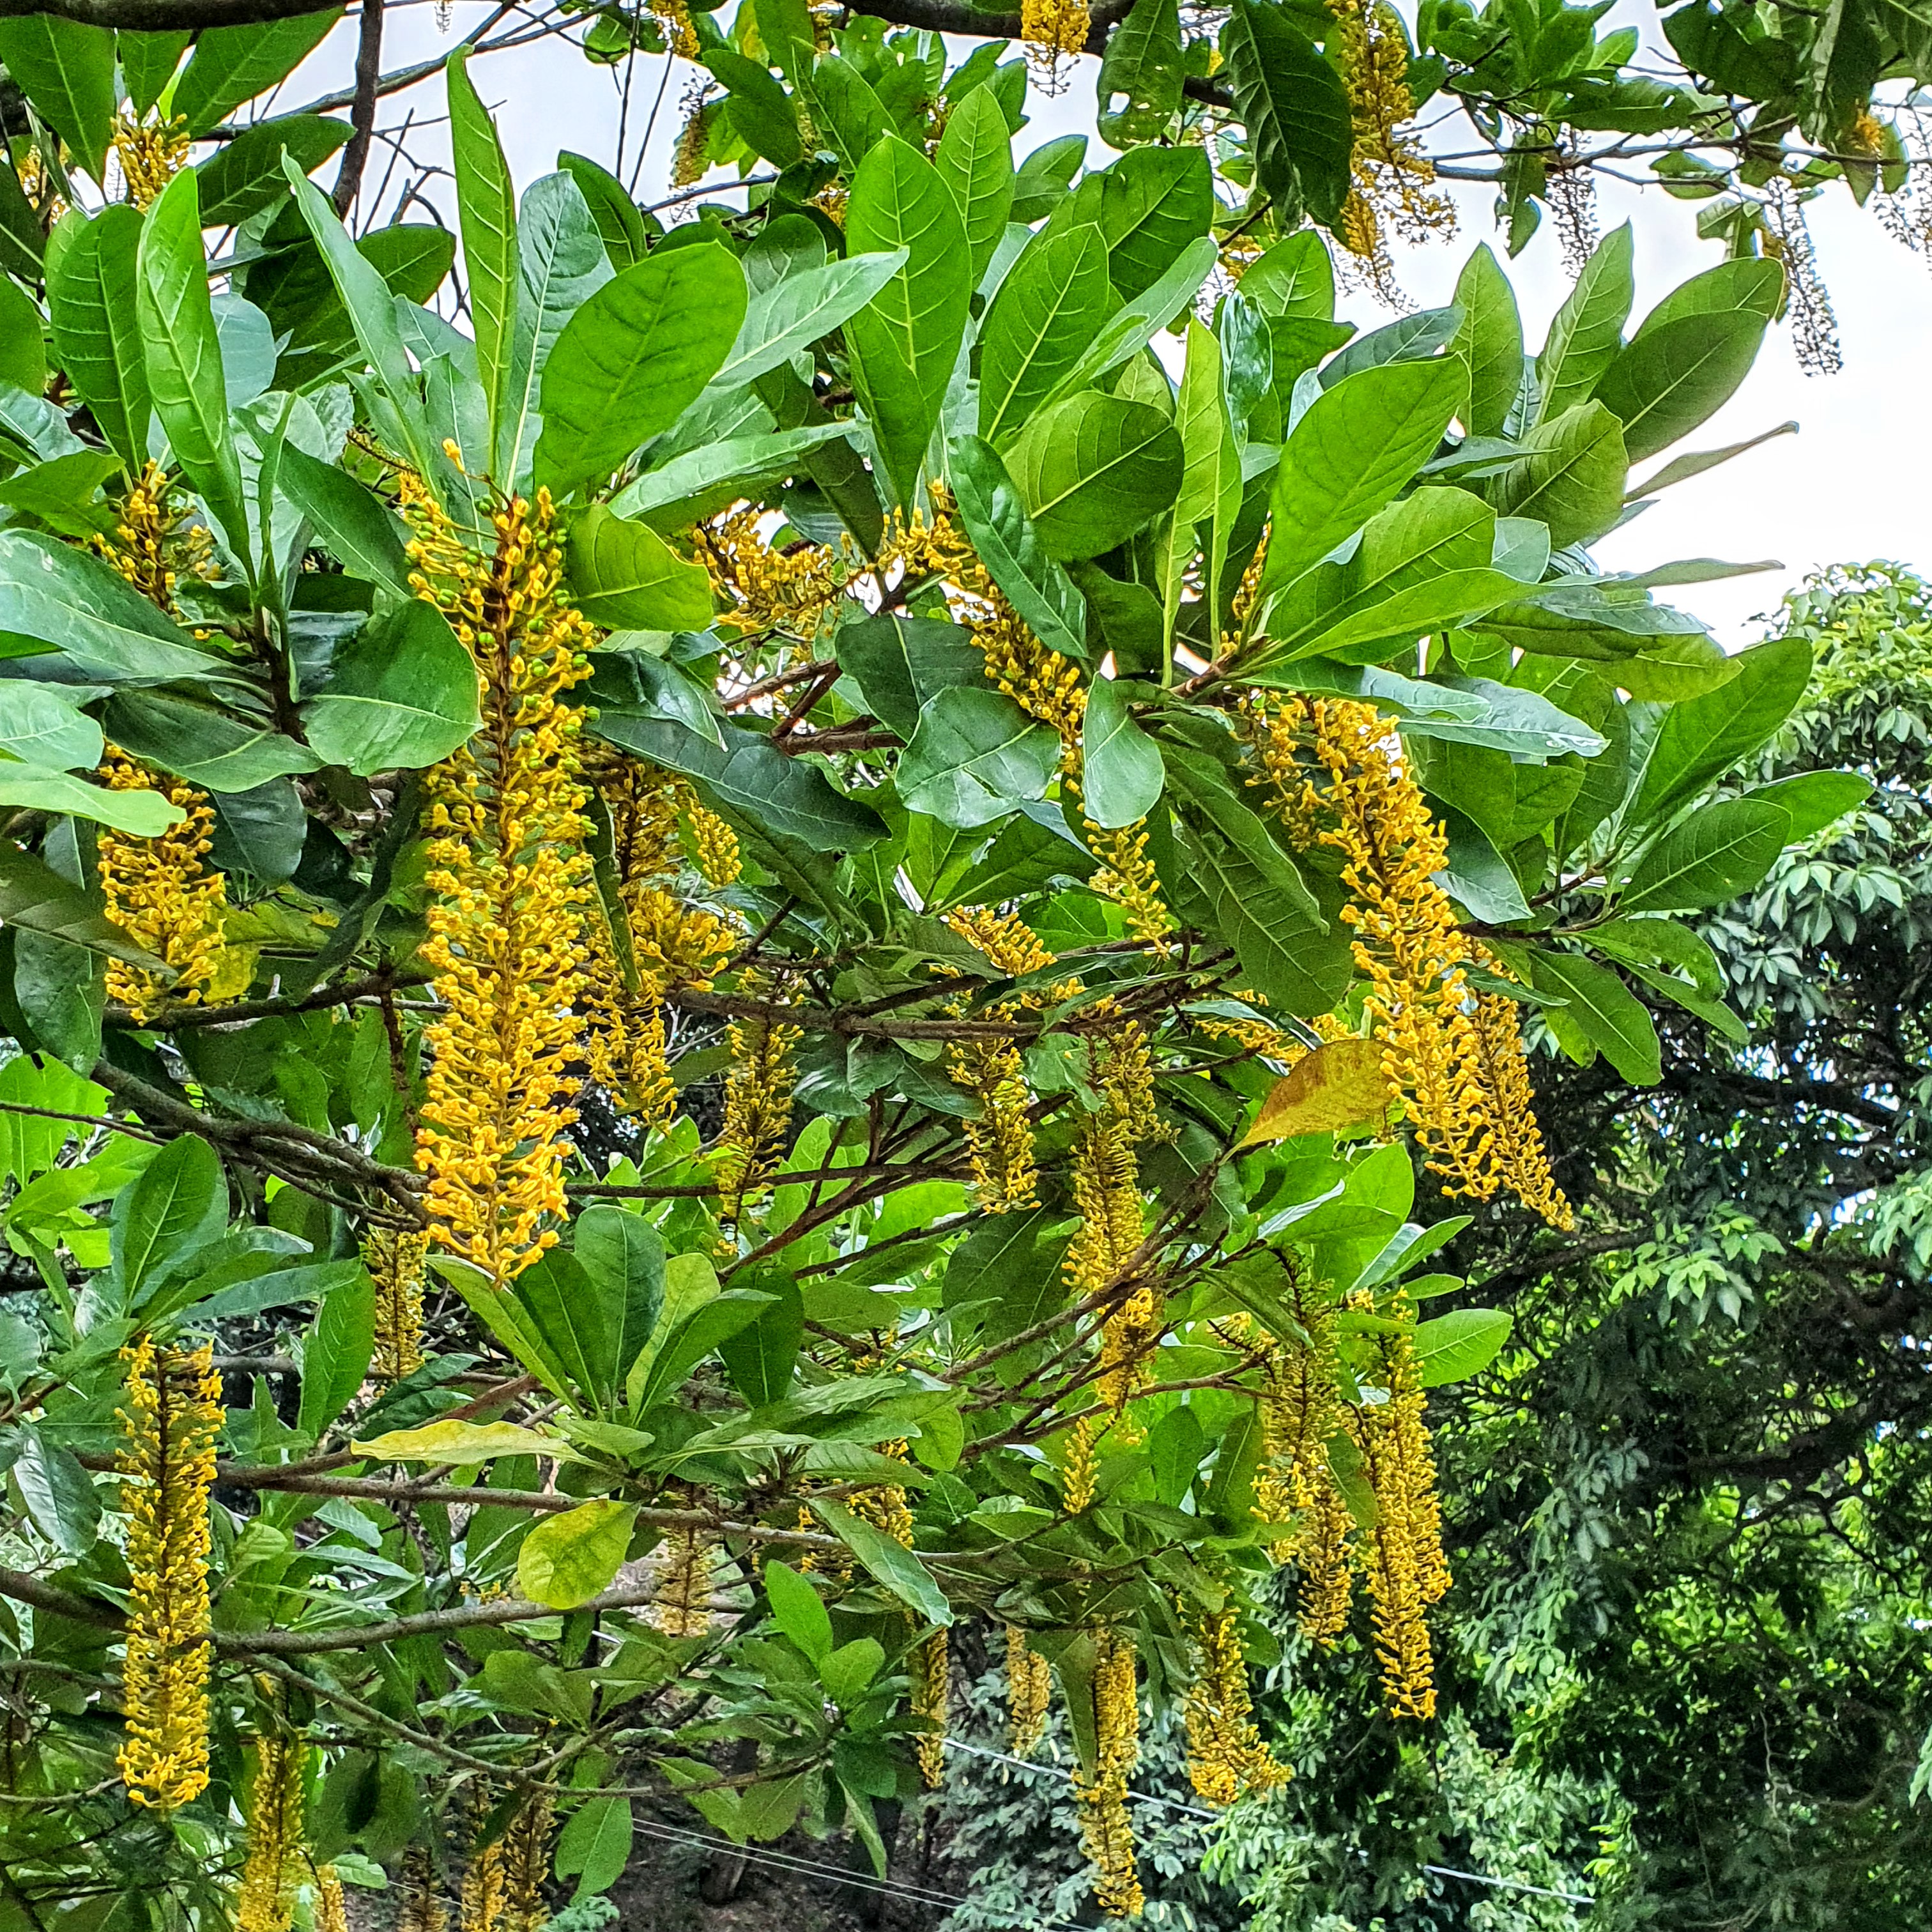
pixel 1394 179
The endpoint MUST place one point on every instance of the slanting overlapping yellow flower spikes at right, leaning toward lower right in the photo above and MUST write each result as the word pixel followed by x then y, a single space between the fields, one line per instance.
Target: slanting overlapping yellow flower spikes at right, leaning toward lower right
pixel 1342 781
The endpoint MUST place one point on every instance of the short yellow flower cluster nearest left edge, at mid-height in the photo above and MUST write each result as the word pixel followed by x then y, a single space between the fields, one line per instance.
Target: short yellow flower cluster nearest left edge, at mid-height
pixel 161 892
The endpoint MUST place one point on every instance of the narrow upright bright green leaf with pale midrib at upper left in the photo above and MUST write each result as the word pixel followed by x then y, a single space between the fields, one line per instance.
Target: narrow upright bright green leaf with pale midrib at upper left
pixel 185 360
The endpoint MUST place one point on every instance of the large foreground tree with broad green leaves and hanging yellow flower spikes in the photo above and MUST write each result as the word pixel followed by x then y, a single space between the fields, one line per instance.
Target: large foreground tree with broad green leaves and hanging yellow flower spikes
pixel 809 907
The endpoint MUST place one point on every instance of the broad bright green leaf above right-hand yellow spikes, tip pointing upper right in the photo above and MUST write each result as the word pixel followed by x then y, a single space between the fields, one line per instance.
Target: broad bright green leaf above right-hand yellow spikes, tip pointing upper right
pixel 1359 443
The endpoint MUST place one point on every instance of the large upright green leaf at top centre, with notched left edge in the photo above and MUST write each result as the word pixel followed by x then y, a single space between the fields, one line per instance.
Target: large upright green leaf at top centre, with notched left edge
pixel 903 345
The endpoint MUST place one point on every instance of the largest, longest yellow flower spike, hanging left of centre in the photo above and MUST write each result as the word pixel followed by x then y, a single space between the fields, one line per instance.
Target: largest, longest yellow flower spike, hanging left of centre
pixel 513 880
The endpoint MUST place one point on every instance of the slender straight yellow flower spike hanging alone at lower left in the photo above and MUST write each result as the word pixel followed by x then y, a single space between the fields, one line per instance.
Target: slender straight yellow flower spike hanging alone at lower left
pixel 167 1462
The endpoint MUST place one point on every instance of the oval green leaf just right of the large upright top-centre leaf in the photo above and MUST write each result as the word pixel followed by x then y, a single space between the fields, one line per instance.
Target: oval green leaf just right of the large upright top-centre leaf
pixel 1040 326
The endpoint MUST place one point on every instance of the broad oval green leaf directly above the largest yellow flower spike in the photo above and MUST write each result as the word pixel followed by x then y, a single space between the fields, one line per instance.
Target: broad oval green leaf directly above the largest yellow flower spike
pixel 635 358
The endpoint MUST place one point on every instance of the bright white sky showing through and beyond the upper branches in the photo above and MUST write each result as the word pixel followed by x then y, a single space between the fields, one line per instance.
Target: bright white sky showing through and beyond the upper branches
pixel 1856 484
